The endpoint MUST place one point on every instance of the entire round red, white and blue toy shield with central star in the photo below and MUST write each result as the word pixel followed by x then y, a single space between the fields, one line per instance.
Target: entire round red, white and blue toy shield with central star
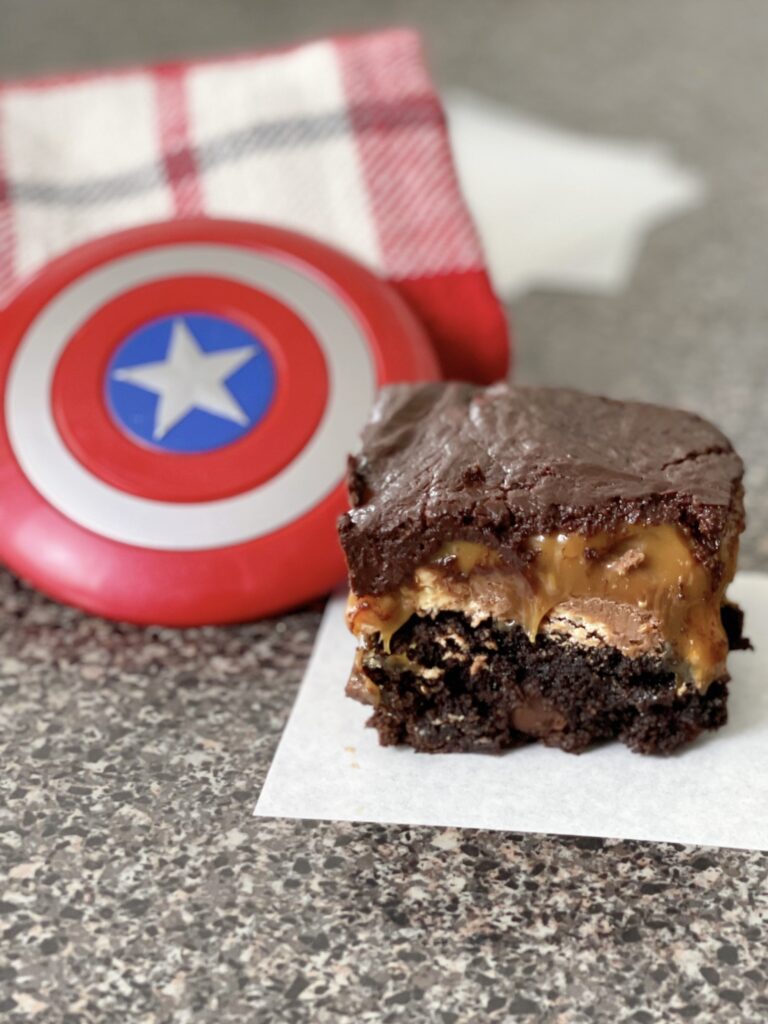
pixel 179 401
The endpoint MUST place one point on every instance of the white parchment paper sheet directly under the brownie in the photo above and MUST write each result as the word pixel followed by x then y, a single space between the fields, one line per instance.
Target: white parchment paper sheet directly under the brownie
pixel 714 793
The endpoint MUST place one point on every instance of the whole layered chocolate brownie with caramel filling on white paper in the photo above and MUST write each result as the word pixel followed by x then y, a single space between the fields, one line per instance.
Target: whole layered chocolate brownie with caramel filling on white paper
pixel 541 564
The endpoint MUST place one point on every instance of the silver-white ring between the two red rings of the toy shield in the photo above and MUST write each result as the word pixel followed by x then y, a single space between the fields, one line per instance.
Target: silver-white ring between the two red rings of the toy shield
pixel 93 503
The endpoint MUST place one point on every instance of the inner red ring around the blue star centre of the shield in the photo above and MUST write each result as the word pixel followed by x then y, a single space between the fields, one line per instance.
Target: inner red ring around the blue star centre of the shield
pixel 96 440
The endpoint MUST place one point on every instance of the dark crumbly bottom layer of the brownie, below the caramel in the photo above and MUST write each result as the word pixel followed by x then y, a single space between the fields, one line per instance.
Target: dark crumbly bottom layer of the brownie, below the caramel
pixel 455 688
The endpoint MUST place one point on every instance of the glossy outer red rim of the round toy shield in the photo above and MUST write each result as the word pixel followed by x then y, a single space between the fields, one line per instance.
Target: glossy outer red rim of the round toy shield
pixel 295 563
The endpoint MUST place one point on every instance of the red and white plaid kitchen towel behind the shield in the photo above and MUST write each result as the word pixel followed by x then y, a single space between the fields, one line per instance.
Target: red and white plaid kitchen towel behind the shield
pixel 343 139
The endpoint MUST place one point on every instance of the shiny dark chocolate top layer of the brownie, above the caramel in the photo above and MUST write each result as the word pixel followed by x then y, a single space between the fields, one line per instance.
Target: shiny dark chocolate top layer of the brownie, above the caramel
pixel 497 465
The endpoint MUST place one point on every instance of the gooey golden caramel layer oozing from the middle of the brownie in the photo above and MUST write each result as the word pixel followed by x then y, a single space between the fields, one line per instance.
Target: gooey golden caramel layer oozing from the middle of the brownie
pixel 651 570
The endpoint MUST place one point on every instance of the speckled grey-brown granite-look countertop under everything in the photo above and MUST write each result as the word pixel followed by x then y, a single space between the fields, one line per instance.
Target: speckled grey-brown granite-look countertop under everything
pixel 138 887
